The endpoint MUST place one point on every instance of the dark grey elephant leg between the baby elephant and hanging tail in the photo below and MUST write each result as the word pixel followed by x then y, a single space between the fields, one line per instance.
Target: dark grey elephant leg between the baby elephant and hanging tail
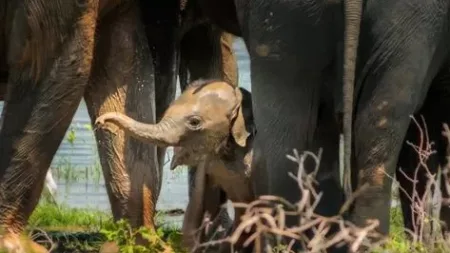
pixel 288 73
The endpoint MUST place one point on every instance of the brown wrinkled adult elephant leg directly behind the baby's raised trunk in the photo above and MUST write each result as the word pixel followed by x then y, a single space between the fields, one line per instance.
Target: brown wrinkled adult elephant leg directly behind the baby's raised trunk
pixel 122 81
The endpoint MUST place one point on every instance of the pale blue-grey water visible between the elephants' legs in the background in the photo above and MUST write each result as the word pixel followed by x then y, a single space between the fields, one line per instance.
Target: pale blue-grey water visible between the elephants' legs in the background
pixel 76 166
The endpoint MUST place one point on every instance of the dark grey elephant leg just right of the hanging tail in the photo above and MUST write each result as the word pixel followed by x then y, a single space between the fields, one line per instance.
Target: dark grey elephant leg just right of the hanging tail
pixel 393 84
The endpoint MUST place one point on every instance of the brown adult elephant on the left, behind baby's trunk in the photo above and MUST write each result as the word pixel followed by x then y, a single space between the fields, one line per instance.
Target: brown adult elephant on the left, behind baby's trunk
pixel 120 56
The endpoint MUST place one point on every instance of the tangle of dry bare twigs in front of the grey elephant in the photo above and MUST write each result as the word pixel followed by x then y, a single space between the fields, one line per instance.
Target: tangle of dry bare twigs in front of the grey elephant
pixel 267 215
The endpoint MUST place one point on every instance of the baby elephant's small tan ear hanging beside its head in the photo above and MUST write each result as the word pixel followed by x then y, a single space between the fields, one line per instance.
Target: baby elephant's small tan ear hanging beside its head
pixel 238 126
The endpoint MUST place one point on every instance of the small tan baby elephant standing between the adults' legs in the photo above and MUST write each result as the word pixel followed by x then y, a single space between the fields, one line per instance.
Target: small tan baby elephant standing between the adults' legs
pixel 211 127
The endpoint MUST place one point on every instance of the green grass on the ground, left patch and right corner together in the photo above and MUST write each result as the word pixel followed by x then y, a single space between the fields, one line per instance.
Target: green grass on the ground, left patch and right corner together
pixel 96 227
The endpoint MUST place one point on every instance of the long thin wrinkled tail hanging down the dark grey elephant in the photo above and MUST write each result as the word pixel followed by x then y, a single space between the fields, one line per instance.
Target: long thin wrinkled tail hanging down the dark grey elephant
pixel 353 12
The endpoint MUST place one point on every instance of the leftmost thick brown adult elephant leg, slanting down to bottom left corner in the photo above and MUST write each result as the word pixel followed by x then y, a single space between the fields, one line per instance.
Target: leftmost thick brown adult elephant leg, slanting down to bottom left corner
pixel 44 91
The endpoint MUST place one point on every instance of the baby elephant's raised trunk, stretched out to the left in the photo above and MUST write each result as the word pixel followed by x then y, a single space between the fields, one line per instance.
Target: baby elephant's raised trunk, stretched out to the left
pixel 165 133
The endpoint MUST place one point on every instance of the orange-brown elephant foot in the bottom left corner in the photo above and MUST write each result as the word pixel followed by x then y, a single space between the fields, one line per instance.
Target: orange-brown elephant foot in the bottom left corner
pixel 12 243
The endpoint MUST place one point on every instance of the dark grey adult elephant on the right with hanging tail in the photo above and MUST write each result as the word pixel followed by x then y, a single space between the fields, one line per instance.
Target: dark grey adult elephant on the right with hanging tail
pixel 295 49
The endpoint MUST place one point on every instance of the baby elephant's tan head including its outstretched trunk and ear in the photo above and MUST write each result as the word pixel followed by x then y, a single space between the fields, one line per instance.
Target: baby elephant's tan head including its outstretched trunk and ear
pixel 206 116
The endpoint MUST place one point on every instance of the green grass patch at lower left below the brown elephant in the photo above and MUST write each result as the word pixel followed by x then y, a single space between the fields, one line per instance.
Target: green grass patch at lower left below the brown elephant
pixel 85 230
